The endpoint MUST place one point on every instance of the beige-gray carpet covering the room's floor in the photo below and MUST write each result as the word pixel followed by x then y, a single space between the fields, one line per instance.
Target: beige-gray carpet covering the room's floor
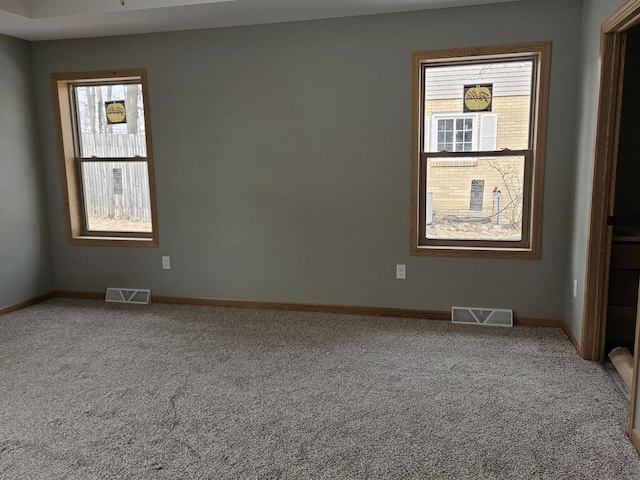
pixel 90 390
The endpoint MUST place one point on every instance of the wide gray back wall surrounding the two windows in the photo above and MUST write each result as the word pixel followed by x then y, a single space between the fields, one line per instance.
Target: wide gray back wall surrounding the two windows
pixel 282 161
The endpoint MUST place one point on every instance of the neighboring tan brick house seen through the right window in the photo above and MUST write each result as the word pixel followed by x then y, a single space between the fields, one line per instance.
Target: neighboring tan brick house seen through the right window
pixel 467 189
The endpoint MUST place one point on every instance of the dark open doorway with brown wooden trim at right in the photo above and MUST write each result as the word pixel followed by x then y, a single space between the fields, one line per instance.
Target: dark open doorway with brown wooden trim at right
pixel 613 260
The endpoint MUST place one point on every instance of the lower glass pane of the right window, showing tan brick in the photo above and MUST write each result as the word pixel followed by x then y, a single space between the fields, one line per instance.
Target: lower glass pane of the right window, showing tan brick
pixel 483 202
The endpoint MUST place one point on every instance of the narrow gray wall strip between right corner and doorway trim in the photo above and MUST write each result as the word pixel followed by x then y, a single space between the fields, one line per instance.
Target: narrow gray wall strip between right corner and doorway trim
pixel 595 12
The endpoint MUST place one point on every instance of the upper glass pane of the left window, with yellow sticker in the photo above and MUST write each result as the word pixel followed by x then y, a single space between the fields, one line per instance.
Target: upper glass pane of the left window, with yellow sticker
pixel 110 120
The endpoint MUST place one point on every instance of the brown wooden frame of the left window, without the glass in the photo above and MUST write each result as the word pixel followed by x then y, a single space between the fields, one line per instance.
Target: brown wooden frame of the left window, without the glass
pixel 71 160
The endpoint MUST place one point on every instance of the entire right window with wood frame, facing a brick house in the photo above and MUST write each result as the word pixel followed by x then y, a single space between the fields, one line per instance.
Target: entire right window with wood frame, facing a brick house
pixel 479 124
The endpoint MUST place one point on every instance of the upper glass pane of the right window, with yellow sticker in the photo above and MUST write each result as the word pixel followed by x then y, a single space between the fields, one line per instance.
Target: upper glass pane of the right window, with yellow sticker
pixel 502 121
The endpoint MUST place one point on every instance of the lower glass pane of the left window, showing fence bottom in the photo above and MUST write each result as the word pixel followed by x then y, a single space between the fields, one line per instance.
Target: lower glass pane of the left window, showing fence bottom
pixel 116 196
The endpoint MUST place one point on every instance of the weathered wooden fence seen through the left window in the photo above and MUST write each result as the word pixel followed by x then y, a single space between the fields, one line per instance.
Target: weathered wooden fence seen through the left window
pixel 116 190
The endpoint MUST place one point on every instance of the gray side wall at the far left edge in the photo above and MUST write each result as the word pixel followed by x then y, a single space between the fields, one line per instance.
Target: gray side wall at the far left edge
pixel 25 257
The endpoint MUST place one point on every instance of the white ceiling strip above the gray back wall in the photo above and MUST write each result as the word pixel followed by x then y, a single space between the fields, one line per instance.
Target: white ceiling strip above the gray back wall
pixel 60 19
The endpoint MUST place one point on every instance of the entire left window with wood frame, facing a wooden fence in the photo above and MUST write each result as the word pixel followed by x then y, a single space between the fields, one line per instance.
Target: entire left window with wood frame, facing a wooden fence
pixel 105 150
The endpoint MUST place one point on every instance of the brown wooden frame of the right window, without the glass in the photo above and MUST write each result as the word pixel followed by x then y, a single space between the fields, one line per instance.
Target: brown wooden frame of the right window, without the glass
pixel 534 157
